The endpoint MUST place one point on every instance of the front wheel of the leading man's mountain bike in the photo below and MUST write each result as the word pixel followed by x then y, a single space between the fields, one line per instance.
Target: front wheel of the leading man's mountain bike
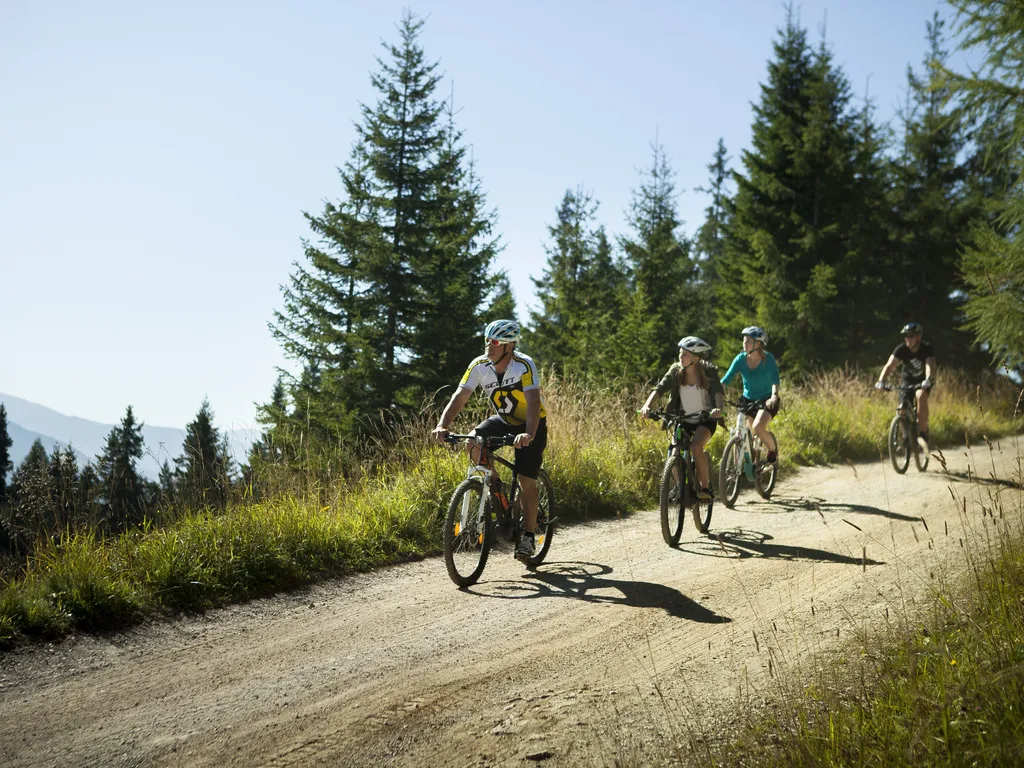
pixel 467 544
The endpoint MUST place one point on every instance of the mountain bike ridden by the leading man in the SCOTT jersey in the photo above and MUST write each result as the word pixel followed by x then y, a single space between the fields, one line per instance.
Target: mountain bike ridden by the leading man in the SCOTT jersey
pixel 481 506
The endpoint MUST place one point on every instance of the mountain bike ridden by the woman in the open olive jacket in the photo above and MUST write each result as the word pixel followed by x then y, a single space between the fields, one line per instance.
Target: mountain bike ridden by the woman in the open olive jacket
pixel 679 486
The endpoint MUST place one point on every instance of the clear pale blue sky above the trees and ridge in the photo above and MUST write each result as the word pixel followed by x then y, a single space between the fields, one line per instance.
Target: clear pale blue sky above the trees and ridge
pixel 156 159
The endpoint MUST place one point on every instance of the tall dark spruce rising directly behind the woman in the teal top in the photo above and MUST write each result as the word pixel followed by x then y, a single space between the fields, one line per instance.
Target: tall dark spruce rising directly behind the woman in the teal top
pixel 790 250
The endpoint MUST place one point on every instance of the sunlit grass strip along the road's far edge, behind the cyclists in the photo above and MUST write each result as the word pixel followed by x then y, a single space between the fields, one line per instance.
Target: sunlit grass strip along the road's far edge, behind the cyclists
pixel 603 461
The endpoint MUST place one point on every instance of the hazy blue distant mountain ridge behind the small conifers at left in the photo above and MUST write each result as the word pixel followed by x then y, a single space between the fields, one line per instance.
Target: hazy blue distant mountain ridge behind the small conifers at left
pixel 27 421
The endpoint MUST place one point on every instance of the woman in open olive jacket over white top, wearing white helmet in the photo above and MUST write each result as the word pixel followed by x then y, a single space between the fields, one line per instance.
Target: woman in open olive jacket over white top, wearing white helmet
pixel 694 386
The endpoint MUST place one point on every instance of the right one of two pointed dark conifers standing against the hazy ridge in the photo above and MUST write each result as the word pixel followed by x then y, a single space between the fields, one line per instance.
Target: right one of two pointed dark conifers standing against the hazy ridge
pixel 203 476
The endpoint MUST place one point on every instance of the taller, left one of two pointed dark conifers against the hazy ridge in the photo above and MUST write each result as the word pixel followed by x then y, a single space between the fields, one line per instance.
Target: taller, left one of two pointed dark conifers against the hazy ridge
pixel 122 493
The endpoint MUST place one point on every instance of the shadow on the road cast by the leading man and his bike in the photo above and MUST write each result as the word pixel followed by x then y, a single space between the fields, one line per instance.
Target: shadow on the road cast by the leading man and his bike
pixel 584 581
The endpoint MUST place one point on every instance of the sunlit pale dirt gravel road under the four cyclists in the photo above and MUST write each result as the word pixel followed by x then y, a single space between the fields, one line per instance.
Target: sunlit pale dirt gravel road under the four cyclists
pixel 614 644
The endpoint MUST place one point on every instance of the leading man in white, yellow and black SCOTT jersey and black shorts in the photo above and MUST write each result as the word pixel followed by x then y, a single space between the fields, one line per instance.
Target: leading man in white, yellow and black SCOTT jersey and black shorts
pixel 511 383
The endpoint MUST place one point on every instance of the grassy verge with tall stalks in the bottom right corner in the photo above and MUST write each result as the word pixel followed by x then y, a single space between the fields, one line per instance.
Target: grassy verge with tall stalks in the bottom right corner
pixel 942 687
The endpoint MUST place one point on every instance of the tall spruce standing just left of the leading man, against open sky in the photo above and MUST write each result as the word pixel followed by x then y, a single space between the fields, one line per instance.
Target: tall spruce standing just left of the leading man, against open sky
pixel 367 313
